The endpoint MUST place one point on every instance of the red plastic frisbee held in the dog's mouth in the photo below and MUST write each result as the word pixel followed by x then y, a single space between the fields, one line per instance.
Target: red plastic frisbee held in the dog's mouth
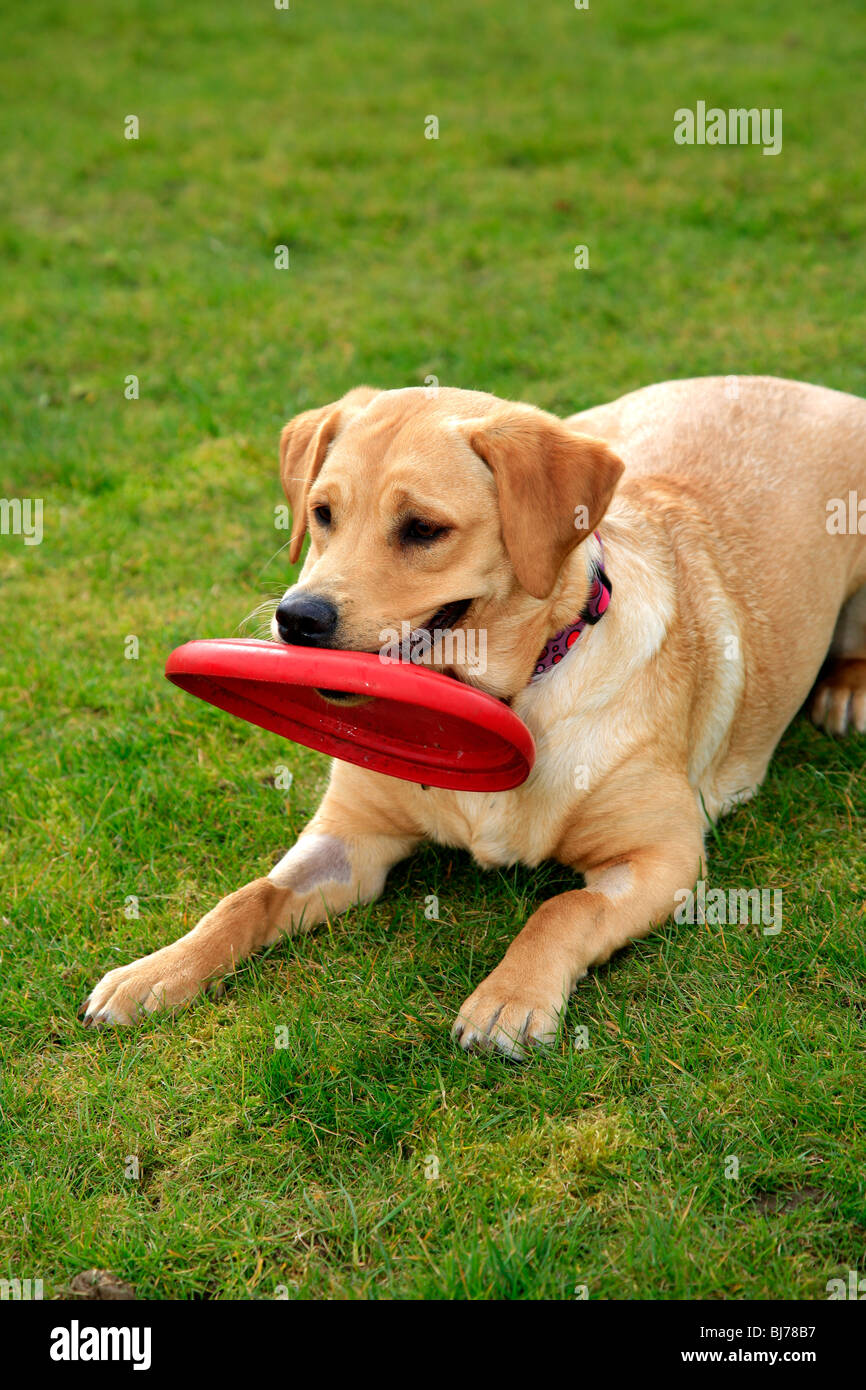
pixel 414 723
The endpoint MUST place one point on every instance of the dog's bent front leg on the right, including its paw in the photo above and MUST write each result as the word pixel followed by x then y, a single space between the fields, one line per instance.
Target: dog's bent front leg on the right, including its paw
pixel 521 1003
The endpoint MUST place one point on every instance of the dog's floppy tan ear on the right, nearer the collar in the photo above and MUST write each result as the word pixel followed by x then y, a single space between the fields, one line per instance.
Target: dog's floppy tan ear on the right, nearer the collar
pixel 554 487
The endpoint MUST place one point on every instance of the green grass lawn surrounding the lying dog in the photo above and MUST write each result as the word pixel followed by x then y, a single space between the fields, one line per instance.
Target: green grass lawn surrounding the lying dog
pixel 307 1166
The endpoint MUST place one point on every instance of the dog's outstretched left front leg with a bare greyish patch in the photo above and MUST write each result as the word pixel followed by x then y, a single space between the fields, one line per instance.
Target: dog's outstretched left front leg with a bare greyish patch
pixel 343 858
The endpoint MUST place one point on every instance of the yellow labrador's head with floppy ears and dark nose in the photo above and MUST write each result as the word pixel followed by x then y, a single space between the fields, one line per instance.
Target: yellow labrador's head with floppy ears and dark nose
pixel 446 512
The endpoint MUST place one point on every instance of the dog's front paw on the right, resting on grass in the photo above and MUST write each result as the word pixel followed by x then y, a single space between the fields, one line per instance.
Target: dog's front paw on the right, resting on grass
pixel 509 1014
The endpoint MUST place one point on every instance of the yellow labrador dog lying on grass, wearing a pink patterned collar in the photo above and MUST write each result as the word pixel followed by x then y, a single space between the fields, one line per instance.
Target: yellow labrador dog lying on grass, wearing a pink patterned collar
pixel 660 582
